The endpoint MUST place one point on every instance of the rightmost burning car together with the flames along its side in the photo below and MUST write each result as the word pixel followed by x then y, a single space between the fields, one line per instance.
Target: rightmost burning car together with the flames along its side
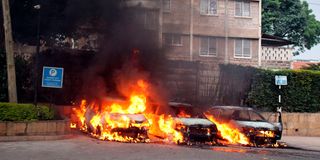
pixel 244 125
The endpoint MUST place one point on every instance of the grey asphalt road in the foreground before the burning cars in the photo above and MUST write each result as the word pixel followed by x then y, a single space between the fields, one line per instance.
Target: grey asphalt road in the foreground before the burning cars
pixel 86 148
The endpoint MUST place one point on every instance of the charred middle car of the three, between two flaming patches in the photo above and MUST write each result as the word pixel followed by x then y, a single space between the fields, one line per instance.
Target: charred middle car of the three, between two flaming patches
pixel 193 125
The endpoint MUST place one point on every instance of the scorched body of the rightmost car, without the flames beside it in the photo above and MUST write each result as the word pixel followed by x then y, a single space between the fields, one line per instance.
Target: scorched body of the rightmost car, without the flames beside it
pixel 259 131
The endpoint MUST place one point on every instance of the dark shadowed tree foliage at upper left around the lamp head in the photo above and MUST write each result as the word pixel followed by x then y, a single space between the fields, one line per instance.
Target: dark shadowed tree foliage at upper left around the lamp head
pixel 59 18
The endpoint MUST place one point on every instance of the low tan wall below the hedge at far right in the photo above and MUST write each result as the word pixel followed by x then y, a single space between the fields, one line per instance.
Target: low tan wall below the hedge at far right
pixel 299 124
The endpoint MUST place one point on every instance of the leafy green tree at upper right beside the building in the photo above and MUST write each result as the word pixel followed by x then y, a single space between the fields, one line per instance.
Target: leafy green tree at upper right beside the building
pixel 291 19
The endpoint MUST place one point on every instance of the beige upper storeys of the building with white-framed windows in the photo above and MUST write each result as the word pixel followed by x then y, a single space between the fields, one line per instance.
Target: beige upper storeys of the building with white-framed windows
pixel 217 31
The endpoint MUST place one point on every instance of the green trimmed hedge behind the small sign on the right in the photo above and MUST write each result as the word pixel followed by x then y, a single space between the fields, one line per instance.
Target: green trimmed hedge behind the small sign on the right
pixel 302 94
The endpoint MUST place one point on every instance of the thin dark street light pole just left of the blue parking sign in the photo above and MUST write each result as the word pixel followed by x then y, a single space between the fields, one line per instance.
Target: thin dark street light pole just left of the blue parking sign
pixel 37 7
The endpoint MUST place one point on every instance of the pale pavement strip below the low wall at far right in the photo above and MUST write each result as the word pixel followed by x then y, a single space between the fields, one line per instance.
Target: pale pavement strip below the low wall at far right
pixel 306 143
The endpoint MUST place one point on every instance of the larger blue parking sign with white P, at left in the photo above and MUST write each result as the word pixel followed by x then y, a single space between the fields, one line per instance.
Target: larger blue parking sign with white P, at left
pixel 52 77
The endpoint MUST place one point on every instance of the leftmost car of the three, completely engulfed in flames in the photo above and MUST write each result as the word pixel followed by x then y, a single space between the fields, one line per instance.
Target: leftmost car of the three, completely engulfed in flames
pixel 115 119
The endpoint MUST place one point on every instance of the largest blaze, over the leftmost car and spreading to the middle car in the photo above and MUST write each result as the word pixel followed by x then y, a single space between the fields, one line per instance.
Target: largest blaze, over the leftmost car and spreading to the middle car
pixel 112 119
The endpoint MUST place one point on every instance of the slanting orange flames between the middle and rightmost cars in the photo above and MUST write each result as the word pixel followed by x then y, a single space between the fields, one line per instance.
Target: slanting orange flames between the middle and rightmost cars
pixel 228 132
